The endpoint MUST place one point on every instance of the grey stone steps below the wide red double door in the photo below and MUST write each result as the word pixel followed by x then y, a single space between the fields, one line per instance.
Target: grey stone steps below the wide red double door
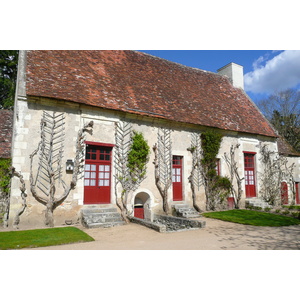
pixel 97 216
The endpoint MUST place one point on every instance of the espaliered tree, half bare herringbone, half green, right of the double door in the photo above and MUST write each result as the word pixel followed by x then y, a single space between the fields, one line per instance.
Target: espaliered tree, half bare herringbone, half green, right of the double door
pixel 131 158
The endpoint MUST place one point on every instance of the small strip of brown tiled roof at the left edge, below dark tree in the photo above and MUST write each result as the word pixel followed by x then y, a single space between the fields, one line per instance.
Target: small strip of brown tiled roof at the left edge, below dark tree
pixel 6 129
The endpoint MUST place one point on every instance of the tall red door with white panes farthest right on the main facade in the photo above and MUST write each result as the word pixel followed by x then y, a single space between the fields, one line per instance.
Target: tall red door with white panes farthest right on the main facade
pixel 250 185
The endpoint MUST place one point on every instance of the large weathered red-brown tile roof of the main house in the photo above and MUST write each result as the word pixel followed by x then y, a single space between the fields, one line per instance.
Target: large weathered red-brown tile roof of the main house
pixel 136 82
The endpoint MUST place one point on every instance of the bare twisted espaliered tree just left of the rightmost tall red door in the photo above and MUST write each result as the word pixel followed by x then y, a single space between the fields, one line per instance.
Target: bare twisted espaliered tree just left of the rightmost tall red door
pixel 234 175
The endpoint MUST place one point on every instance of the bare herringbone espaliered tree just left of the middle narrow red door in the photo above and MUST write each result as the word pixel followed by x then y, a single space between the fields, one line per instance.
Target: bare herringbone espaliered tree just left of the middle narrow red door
pixel 163 165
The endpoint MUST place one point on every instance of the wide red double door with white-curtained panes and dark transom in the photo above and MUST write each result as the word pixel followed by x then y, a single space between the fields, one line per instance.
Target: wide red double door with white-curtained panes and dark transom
pixel 97 175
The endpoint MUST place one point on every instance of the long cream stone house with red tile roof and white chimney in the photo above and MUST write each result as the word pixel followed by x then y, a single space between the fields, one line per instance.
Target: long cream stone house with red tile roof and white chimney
pixel 151 94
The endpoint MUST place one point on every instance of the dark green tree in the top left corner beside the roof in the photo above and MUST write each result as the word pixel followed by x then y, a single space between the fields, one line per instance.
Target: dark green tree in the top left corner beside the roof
pixel 8 77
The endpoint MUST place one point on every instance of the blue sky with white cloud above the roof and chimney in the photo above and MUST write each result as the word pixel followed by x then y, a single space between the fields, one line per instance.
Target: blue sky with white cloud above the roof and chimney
pixel 265 71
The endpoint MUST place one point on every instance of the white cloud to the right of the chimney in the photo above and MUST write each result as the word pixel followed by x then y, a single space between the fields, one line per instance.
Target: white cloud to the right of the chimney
pixel 279 73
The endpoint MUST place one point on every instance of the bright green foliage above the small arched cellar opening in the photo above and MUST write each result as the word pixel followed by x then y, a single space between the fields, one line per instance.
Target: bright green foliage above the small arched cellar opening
pixel 138 157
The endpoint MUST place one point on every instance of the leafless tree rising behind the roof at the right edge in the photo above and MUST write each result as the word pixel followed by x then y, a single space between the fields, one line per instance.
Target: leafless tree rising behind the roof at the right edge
pixel 282 109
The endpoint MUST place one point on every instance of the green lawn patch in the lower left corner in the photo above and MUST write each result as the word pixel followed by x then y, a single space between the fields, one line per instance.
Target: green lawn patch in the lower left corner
pixel 42 237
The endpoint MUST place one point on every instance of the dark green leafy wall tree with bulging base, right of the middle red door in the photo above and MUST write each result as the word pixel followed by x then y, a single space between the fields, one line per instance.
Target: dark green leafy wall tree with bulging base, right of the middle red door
pixel 217 188
